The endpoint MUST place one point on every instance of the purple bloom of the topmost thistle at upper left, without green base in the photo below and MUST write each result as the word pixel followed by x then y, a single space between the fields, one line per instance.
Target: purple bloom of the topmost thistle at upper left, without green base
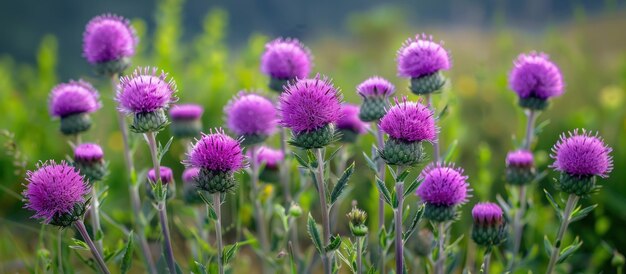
pixel 108 38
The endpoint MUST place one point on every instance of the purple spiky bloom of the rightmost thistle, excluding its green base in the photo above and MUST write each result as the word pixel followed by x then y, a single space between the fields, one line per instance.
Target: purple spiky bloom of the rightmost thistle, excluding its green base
pixel 582 154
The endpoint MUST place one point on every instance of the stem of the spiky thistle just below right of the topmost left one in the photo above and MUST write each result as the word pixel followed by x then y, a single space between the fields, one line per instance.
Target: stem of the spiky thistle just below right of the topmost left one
pixel 161 207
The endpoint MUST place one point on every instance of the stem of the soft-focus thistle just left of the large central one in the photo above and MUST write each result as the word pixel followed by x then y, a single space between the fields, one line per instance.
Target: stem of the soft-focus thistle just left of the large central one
pixel 258 207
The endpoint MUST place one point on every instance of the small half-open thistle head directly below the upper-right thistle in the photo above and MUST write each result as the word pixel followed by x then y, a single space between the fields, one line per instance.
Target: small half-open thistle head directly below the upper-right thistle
pixel 520 168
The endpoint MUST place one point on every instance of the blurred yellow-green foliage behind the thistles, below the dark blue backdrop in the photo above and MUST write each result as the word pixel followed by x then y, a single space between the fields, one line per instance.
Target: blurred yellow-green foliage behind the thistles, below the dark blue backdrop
pixel 483 118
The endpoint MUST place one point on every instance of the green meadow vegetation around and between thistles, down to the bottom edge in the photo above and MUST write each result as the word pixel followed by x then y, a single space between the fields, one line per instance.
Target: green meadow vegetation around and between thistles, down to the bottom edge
pixel 482 122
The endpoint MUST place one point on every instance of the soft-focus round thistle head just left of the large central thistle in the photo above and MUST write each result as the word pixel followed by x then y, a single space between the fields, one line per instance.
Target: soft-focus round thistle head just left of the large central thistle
pixel 251 116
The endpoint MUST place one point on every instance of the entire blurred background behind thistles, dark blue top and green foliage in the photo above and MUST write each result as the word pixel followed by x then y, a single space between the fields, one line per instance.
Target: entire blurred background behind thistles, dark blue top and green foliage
pixel 212 50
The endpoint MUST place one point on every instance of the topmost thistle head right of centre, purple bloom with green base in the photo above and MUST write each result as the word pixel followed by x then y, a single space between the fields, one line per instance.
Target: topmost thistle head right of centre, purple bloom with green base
pixel 421 59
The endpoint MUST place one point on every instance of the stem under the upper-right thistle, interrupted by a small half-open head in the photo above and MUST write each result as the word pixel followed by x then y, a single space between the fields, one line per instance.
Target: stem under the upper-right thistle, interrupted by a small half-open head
pixel 518 226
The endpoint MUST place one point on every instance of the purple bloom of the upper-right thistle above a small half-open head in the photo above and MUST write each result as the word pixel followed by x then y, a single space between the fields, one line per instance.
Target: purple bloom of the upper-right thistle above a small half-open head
pixel 535 76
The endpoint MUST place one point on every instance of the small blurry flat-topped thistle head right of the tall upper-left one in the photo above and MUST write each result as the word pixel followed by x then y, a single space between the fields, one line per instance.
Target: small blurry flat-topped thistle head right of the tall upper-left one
pixel 186 120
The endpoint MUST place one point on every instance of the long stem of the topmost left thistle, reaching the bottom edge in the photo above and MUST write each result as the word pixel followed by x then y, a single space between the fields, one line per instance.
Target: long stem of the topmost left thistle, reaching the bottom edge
pixel 133 189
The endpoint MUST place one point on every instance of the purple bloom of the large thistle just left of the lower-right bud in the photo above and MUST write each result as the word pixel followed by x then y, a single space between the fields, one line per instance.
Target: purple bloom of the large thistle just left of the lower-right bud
pixel 443 185
